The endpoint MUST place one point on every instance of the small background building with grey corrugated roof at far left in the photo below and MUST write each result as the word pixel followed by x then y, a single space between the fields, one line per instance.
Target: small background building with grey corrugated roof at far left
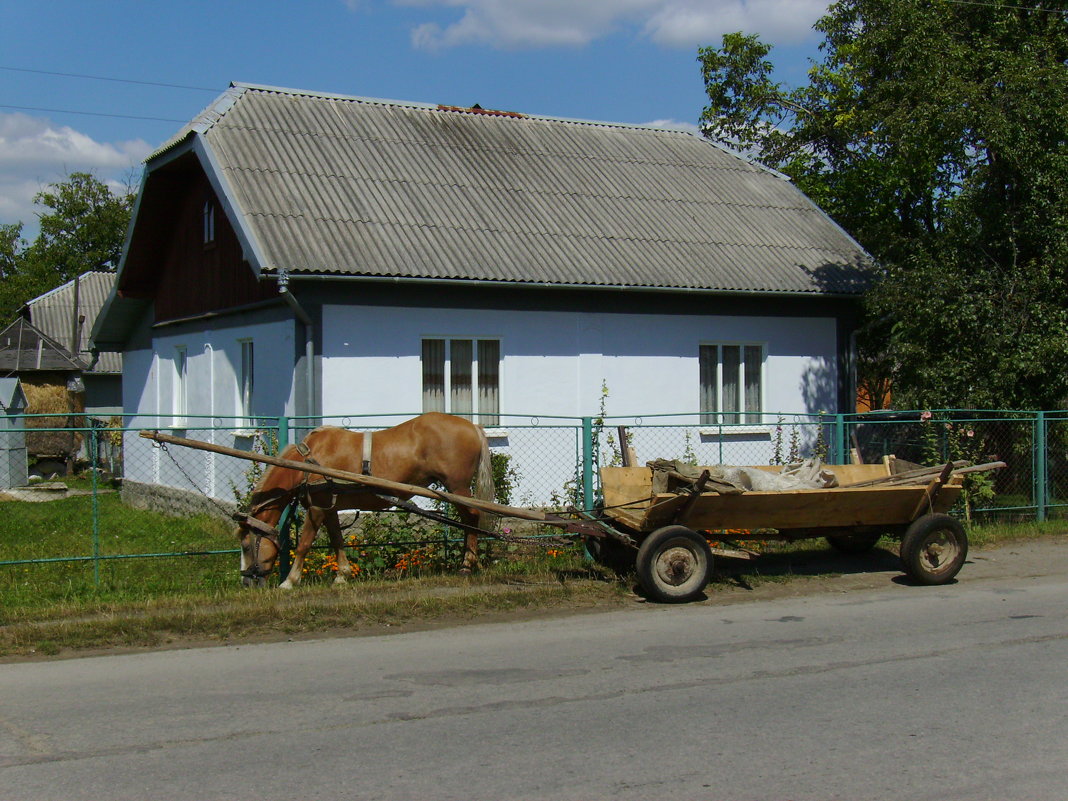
pixel 67 316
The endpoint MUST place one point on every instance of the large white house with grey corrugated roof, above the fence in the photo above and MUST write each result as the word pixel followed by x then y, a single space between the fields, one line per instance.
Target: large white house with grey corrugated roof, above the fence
pixel 313 255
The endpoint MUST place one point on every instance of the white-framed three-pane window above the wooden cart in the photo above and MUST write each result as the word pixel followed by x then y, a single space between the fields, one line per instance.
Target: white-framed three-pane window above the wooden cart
pixel 732 384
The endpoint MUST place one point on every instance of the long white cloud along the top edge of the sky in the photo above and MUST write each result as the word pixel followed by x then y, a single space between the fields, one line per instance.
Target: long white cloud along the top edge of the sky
pixel 519 24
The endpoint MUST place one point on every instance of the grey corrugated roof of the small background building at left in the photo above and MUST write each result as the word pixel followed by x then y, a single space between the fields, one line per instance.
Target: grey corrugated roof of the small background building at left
pixel 52 313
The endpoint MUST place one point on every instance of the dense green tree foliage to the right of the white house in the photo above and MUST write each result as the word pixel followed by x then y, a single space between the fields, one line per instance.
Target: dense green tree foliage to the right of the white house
pixel 937 134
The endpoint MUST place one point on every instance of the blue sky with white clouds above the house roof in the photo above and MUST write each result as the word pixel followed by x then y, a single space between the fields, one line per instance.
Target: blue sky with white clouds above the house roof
pixel 617 60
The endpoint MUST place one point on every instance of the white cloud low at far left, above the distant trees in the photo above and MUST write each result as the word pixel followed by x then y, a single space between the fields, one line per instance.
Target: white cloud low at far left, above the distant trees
pixel 36 152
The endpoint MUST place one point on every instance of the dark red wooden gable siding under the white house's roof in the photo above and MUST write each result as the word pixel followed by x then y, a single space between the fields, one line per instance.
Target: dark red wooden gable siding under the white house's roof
pixel 198 277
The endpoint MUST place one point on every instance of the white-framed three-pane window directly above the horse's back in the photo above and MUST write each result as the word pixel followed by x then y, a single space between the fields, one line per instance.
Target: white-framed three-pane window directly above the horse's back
pixel 463 378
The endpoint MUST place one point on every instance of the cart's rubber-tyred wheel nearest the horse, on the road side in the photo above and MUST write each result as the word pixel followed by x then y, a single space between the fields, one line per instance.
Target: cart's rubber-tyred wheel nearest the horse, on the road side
pixel 674 564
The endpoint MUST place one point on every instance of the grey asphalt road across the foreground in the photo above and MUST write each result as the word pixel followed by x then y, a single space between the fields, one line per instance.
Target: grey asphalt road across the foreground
pixel 894 693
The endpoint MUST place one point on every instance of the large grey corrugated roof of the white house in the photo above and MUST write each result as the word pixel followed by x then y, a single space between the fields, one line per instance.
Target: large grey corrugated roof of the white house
pixel 339 185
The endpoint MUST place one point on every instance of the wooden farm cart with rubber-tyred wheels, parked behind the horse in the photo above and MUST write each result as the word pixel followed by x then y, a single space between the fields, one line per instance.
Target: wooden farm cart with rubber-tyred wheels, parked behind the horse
pixel 674 559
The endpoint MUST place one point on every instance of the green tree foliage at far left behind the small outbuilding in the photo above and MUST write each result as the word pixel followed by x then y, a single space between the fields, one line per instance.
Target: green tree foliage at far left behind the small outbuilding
pixel 83 228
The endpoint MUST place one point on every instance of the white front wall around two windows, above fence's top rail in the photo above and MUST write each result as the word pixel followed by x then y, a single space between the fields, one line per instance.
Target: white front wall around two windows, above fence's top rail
pixel 556 363
